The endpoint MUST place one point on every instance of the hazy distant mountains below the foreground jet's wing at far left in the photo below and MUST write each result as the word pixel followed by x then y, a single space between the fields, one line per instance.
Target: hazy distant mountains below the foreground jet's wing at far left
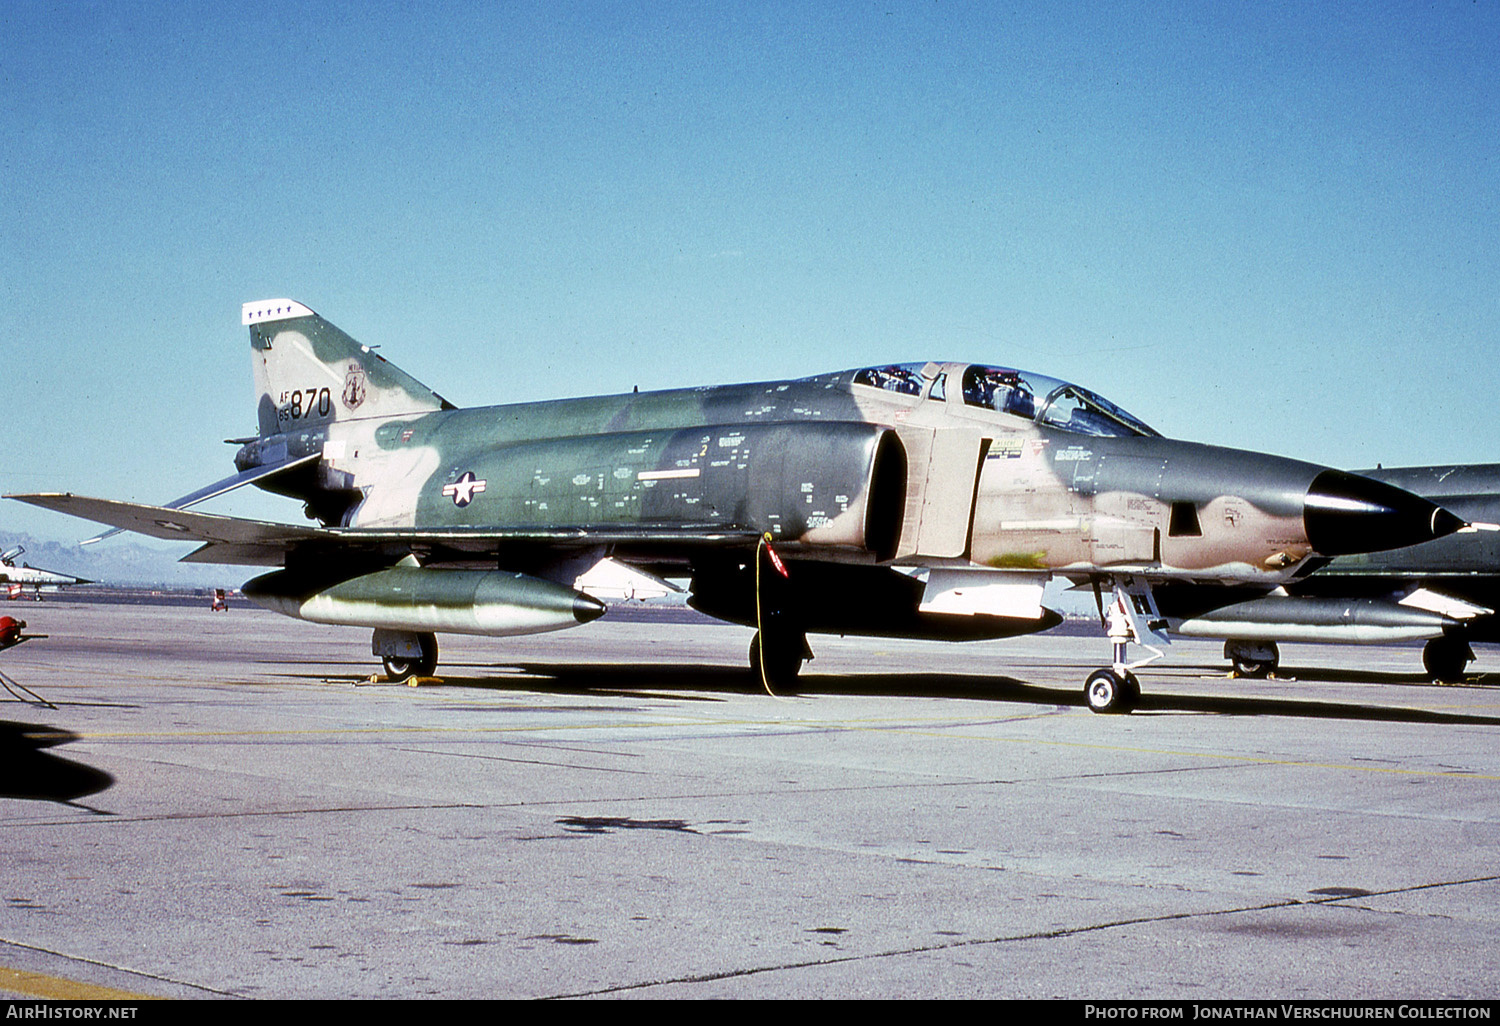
pixel 127 563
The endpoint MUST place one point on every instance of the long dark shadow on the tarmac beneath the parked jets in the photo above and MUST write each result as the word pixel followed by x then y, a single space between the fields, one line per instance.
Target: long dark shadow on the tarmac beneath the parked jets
pixel 643 680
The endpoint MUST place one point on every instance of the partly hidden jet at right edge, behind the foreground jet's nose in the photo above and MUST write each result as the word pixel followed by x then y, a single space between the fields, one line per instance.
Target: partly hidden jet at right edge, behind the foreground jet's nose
pixel 1444 592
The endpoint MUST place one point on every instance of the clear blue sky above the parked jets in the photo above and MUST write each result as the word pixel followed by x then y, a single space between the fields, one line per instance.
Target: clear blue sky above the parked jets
pixel 1270 226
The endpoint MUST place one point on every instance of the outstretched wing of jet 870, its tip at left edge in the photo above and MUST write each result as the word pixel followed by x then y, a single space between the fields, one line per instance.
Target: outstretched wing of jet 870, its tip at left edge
pixel 244 542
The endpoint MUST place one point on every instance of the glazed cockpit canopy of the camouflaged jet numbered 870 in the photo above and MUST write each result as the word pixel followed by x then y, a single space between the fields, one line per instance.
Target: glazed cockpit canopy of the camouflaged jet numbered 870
pixel 1021 394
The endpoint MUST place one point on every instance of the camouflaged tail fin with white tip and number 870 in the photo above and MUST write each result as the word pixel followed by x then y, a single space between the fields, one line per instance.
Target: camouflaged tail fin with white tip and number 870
pixel 310 373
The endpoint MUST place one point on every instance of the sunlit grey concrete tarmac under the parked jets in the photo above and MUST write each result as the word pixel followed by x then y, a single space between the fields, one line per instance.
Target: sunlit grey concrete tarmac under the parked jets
pixel 217 809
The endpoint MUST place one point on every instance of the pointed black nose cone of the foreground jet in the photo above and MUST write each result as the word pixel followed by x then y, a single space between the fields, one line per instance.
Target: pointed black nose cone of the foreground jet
pixel 1345 514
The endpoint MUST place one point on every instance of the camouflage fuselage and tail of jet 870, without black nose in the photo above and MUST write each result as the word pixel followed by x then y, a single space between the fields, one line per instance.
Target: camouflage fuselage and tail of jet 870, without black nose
pixel 830 467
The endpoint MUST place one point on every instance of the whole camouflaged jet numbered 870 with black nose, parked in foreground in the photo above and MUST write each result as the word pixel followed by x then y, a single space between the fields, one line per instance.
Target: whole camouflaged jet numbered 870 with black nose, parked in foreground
pixel 923 500
